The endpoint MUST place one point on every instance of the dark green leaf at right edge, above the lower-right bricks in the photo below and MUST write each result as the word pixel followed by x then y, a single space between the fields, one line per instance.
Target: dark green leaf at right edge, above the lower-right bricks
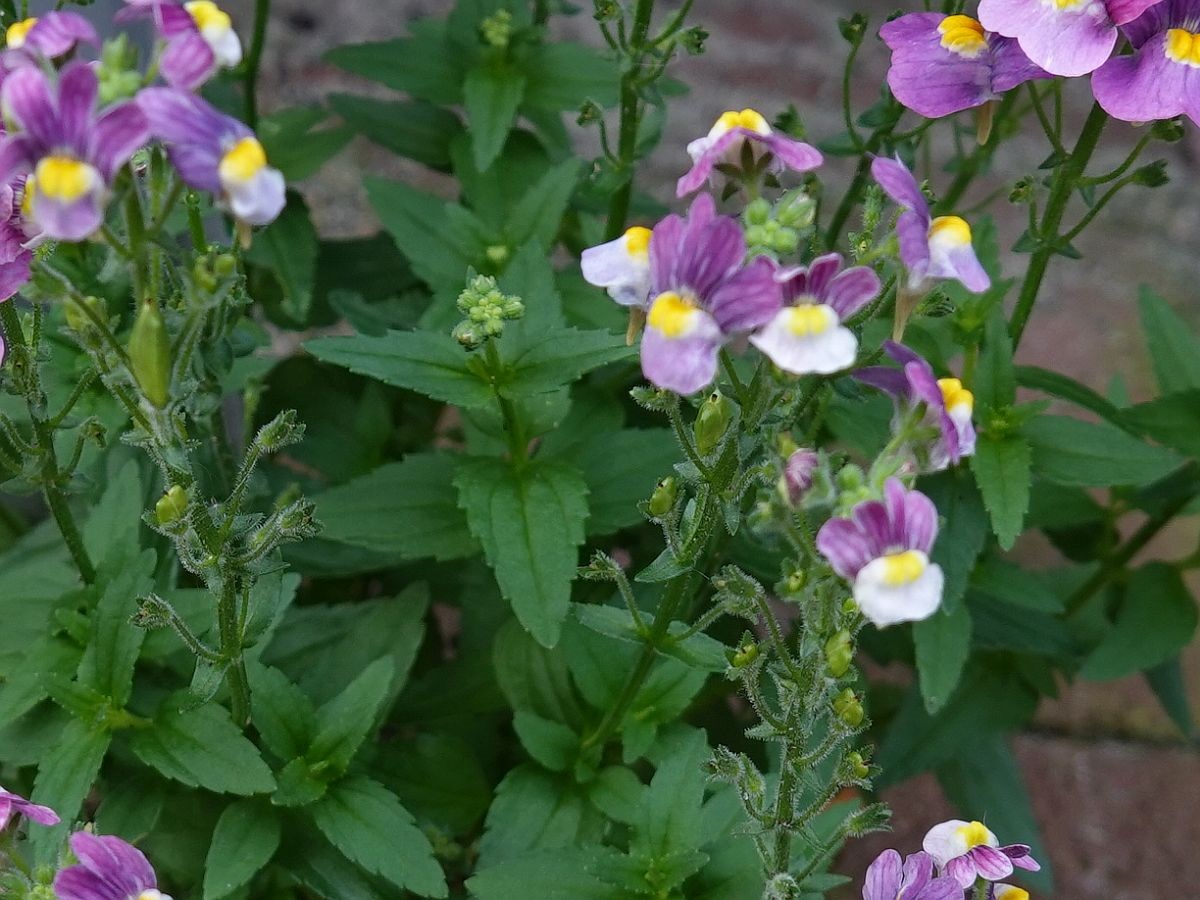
pixel 1156 621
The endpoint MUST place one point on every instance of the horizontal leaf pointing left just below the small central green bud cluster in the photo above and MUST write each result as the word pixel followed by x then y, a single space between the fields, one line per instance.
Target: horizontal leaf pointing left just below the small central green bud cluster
pixel 430 364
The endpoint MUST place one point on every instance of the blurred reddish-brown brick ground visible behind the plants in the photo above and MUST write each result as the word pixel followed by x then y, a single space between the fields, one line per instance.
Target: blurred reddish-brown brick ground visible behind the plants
pixel 1115 787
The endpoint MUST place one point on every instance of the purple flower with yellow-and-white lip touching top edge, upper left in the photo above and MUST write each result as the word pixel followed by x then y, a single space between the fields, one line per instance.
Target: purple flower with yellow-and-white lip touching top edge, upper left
pixel 200 39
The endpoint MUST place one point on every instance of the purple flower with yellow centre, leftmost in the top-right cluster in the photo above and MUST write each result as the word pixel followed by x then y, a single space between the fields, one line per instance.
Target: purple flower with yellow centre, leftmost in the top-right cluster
pixel 946 64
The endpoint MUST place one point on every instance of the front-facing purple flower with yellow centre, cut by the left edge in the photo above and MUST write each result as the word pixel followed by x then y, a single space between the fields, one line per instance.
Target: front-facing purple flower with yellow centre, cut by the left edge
pixel 73 153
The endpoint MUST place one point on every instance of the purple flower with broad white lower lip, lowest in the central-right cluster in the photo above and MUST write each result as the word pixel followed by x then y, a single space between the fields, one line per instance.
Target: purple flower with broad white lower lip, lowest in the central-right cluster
pixel 884 549
